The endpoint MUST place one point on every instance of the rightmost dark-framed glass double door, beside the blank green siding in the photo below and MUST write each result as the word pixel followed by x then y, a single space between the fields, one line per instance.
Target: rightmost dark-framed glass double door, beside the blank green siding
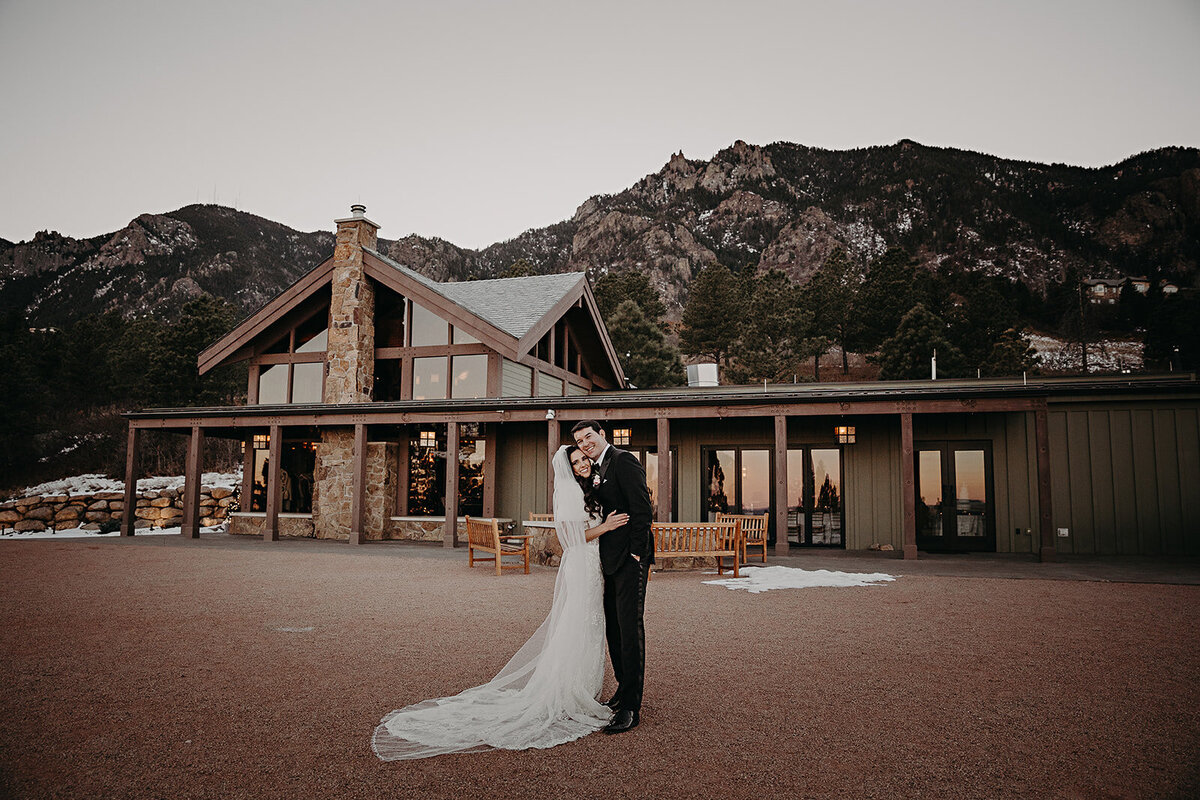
pixel 956 510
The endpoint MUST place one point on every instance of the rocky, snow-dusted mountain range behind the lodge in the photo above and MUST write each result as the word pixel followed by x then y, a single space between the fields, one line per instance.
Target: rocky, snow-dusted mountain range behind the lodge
pixel 781 206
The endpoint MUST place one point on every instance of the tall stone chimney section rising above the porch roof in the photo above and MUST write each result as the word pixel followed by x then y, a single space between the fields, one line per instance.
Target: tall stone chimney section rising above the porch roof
pixel 350 356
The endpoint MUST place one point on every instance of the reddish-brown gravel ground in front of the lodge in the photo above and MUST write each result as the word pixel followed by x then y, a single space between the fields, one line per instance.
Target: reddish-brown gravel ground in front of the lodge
pixel 233 669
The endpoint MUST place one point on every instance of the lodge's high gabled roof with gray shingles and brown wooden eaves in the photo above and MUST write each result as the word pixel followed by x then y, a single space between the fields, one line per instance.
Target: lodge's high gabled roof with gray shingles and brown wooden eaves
pixel 511 315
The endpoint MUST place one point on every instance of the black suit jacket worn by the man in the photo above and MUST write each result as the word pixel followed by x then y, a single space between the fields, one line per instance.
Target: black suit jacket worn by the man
pixel 623 489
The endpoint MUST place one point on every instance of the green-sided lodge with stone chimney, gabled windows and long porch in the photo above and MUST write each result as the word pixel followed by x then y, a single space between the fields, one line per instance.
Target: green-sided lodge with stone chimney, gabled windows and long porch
pixel 386 406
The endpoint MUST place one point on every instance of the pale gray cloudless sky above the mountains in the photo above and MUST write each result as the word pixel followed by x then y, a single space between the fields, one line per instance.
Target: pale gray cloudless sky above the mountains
pixel 475 122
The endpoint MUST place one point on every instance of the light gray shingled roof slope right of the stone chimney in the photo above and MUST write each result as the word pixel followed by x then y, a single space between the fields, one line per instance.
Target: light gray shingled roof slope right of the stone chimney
pixel 513 305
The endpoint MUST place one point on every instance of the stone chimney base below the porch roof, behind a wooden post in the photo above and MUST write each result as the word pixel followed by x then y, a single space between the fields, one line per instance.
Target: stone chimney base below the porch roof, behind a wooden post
pixel 334 488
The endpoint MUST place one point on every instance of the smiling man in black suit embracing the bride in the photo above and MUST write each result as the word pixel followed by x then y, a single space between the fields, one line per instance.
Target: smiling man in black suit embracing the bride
pixel 626 556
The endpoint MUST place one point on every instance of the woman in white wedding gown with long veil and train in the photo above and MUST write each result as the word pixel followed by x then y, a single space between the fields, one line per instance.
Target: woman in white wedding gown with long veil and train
pixel 547 695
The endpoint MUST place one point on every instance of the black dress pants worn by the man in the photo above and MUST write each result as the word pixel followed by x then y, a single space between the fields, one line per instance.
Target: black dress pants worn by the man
pixel 625 603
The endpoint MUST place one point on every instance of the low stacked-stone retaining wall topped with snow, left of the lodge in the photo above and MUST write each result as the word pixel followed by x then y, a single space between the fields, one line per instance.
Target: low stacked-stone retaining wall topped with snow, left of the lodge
pixel 155 509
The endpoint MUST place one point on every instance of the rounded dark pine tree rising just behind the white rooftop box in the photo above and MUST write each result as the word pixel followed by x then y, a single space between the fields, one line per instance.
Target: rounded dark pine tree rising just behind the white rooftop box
pixel 712 320
